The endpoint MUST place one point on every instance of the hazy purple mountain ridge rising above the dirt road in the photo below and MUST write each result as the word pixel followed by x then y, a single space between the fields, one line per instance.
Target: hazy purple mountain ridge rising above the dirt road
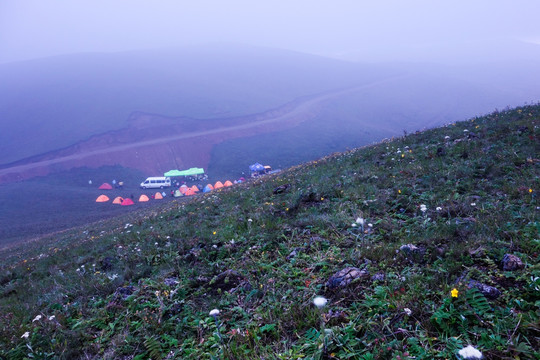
pixel 55 102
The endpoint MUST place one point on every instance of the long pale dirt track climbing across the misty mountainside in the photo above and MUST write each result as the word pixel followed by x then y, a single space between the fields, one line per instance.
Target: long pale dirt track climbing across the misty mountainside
pixel 299 109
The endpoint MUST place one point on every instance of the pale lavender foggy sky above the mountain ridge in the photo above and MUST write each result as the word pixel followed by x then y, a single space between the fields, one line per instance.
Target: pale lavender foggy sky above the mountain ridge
pixel 349 29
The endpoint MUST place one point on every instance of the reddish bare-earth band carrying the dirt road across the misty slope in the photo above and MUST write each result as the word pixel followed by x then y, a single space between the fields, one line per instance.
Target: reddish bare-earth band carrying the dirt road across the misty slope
pixel 156 144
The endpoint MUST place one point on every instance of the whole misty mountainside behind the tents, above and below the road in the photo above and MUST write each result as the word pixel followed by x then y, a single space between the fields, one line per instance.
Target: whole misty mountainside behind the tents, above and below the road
pixel 63 106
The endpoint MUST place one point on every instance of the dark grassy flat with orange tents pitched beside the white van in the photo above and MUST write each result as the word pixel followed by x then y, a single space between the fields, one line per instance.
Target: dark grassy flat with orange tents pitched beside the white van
pixel 70 194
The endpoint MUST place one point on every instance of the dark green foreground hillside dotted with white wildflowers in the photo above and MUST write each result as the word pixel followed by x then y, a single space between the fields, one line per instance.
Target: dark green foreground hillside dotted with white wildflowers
pixel 420 277
